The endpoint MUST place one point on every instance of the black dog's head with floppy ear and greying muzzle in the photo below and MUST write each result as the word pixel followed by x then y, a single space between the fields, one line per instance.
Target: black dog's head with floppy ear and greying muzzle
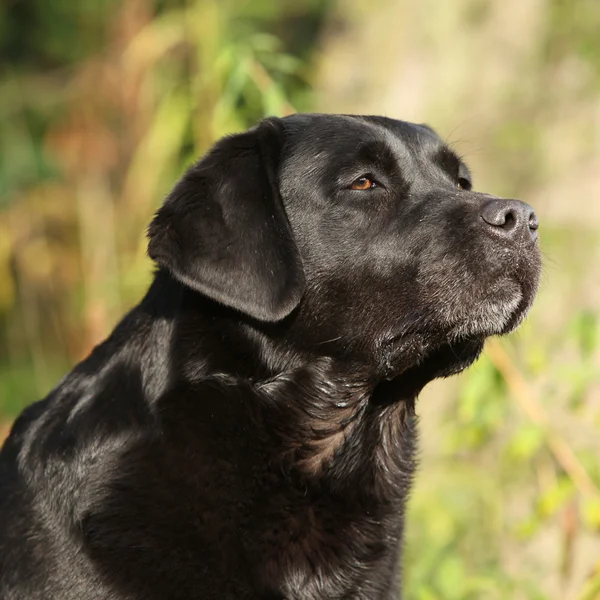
pixel 359 237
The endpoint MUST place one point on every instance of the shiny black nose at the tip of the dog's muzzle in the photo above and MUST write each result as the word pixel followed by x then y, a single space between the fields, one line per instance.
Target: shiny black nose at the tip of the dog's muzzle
pixel 510 218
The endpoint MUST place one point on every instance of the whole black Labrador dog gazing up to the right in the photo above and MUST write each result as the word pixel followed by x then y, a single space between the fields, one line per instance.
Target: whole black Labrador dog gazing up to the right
pixel 247 431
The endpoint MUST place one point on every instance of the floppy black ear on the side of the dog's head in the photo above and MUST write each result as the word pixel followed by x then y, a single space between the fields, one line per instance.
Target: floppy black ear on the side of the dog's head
pixel 223 230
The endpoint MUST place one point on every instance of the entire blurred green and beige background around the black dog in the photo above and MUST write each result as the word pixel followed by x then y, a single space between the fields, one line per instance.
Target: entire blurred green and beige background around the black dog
pixel 103 103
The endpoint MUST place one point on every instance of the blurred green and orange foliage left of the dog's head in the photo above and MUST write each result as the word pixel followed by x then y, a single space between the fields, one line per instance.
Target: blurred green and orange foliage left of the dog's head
pixel 103 106
